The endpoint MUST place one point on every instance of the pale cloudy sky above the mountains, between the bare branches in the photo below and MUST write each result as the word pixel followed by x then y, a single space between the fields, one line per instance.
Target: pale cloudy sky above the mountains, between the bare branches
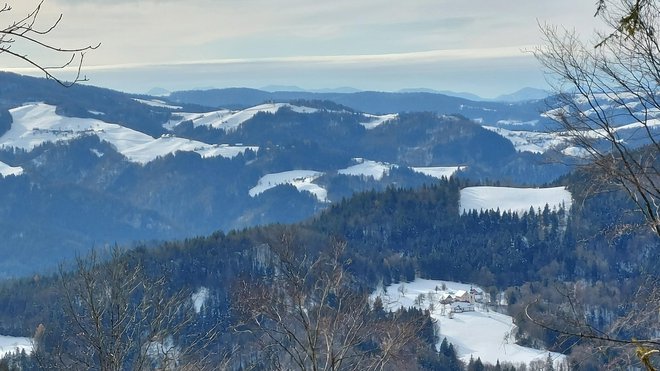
pixel 476 46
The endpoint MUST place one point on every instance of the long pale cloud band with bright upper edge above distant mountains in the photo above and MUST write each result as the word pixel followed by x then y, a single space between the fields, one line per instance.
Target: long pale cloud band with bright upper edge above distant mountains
pixel 488 73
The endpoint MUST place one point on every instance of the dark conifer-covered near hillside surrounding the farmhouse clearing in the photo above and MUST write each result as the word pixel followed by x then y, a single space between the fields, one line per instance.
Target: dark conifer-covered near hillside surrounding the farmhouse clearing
pixel 390 236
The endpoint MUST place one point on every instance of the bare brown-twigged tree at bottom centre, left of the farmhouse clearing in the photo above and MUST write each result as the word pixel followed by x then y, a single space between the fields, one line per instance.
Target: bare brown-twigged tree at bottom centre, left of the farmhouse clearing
pixel 308 316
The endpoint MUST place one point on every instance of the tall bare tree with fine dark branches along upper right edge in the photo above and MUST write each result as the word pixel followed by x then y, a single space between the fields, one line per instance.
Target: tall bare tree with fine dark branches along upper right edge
pixel 610 102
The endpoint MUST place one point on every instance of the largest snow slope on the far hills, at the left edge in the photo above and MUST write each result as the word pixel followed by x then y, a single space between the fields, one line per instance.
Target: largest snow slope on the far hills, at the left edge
pixel 38 123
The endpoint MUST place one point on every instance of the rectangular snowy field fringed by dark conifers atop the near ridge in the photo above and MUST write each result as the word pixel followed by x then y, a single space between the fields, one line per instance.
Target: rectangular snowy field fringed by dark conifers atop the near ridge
pixel 518 200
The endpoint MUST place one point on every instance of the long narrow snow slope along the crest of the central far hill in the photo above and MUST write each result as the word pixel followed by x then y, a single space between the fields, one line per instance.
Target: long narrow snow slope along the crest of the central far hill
pixel 228 120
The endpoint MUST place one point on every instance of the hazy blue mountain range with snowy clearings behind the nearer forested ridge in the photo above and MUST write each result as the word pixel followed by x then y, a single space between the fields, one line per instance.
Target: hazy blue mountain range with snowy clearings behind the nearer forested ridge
pixel 86 166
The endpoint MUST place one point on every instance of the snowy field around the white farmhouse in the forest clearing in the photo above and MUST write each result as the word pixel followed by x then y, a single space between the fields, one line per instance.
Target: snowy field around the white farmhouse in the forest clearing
pixel 480 334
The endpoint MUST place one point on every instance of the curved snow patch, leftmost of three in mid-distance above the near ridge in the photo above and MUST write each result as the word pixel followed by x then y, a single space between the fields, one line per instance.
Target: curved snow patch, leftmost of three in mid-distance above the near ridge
pixel 301 179
